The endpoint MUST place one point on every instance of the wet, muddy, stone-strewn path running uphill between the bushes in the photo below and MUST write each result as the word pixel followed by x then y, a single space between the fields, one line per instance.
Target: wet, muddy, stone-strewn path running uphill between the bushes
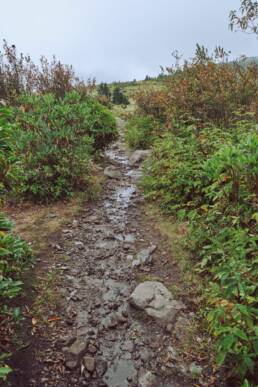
pixel 104 336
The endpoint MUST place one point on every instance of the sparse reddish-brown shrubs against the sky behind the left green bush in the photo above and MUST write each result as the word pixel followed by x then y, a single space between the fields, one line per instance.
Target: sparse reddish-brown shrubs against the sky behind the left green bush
pixel 19 75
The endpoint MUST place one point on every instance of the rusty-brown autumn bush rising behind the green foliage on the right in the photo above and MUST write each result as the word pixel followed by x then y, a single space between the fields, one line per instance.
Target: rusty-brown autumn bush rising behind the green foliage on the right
pixel 203 92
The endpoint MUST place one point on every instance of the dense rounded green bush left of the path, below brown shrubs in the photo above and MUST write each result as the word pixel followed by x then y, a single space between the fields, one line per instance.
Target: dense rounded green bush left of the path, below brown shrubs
pixel 56 140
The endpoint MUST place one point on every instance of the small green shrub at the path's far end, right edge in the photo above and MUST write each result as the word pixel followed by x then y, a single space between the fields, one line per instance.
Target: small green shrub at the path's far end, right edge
pixel 140 132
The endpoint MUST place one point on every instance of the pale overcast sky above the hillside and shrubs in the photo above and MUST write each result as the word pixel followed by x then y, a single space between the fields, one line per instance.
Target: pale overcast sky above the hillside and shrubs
pixel 120 39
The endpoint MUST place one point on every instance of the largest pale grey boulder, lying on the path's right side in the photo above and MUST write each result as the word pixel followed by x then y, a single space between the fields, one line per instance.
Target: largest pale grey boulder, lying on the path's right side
pixel 155 299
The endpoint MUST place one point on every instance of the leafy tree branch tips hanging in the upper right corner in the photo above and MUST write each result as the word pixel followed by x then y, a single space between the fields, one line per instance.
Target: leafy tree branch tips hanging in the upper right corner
pixel 246 18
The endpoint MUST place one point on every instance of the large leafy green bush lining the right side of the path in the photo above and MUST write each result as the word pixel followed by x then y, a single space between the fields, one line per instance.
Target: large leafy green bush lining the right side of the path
pixel 209 178
